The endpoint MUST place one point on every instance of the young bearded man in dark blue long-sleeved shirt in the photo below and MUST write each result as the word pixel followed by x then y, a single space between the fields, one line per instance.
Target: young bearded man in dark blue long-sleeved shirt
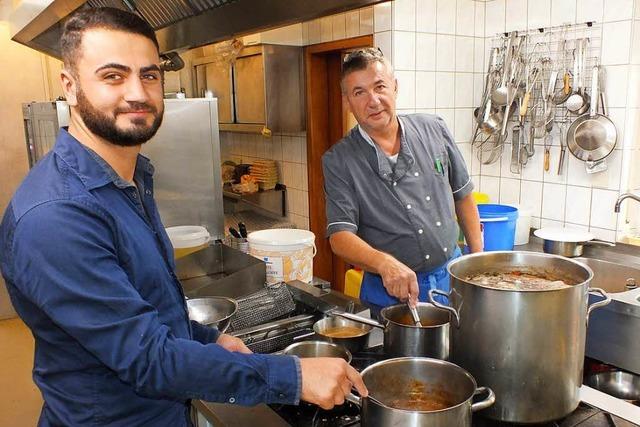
pixel 90 269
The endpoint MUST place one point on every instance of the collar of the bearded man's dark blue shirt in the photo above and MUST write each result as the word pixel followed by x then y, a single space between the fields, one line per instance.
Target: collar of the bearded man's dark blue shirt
pixel 83 160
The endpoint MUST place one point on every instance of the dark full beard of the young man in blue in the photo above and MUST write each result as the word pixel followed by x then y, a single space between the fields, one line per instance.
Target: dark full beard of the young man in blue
pixel 104 125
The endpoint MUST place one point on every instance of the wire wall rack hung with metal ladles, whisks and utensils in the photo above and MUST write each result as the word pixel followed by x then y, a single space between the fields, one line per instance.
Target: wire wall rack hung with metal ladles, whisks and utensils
pixel 547 50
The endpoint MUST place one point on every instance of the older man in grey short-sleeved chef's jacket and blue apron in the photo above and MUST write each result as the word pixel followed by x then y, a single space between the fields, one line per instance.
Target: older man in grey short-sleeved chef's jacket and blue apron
pixel 394 187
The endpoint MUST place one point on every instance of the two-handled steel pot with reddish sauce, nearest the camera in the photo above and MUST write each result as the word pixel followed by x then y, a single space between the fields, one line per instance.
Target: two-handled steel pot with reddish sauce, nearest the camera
pixel 417 382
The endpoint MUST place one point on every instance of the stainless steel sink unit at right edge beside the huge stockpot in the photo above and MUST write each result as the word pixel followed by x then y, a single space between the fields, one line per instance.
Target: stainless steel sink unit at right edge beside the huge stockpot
pixel 612 331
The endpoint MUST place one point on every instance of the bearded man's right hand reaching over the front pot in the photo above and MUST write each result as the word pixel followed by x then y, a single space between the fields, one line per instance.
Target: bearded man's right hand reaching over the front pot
pixel 327 380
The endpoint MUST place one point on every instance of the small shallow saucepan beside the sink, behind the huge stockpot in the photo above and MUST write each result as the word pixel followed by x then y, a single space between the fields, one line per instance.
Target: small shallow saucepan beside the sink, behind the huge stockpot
pixel 567 242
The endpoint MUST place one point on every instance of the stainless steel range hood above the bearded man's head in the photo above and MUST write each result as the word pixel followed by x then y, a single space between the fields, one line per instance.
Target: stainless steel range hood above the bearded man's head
pixel 185 24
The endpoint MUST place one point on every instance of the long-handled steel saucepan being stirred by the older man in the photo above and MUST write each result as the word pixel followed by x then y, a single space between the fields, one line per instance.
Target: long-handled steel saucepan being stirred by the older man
pixel 403 338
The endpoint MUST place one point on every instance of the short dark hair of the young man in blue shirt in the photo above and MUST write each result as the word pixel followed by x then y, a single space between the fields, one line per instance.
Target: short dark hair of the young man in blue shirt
pixel 108 18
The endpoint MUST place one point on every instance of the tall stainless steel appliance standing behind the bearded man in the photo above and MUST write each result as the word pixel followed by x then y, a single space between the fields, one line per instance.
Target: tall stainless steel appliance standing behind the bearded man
pixel 185 153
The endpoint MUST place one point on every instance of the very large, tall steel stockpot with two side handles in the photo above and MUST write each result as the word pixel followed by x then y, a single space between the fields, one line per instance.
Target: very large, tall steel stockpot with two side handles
pixel 528 346
